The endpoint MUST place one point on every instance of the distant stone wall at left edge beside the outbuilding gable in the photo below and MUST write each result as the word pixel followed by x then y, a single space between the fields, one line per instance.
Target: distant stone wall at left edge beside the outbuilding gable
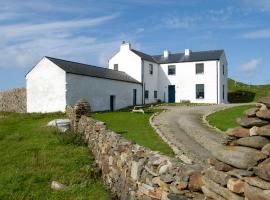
pixel 13 100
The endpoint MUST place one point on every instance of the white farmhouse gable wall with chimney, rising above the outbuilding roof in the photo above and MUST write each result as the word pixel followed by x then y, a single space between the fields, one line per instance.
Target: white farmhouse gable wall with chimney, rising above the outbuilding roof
pixel 127 62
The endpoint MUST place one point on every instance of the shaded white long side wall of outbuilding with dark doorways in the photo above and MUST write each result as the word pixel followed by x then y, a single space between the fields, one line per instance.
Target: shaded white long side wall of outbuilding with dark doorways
pixel 97 92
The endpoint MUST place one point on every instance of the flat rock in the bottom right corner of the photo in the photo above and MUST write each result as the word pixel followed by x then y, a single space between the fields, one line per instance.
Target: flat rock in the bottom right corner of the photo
pixel 255 193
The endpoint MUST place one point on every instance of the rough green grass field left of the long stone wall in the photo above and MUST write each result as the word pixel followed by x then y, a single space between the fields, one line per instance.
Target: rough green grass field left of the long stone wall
pixel 32 156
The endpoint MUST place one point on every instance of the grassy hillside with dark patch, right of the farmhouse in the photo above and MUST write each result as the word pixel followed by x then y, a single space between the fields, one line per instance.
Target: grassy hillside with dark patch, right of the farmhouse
pixel 243 93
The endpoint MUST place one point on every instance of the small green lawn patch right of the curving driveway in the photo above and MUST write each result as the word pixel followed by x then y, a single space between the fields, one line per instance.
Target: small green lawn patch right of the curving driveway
pixel 227 118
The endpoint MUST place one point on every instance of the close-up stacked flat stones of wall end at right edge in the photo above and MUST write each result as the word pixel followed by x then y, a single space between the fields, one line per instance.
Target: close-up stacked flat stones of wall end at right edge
pixel 242 170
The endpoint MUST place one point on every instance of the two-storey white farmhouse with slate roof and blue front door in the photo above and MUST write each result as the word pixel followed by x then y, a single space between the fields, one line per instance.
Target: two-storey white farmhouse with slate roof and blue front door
pixel 198 77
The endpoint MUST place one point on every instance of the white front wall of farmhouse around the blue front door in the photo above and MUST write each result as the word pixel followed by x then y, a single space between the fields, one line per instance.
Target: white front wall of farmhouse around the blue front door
pixel 186 79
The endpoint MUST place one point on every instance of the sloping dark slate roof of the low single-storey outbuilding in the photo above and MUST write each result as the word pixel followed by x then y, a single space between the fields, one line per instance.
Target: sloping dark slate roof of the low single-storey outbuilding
pixel 90 70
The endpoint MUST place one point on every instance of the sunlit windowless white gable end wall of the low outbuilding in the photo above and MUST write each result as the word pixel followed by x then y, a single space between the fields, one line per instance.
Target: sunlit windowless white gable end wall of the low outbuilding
pixel 46 88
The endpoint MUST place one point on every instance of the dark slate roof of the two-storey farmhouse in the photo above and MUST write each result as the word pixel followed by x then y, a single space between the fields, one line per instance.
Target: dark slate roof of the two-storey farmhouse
pixel 180 57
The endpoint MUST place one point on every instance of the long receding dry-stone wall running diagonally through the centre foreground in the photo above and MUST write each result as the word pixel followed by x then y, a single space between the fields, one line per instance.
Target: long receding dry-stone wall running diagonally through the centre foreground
pixel 131 171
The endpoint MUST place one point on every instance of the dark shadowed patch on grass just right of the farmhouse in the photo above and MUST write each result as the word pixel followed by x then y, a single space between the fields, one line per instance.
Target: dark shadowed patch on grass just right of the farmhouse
pixel 241 96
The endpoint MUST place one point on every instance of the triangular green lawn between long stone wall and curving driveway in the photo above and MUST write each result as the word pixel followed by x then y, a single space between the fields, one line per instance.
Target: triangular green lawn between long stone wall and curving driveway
pixel 135 127
